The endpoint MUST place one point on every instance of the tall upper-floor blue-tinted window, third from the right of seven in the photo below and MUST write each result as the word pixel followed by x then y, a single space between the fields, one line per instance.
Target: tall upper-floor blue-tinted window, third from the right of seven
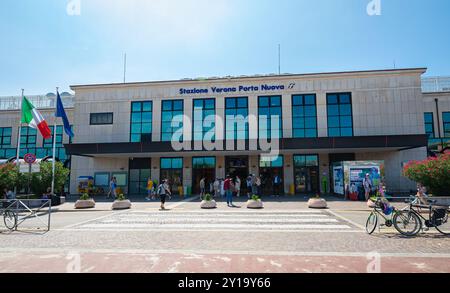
pixel 270 112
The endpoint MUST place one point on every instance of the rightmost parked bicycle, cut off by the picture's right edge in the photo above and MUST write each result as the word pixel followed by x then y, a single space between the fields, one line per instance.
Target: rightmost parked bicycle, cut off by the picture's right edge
pixel 438 217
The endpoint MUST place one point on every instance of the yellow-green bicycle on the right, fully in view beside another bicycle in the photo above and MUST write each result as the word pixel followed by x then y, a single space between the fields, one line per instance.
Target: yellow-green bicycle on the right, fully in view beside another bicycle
pixel 396 215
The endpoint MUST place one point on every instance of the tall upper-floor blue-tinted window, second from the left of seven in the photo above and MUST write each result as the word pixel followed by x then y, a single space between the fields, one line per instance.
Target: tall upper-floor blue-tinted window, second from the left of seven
pixel 171 111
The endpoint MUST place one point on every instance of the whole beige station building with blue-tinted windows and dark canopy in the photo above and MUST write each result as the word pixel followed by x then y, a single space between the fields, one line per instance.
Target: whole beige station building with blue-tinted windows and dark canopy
pixel 125 130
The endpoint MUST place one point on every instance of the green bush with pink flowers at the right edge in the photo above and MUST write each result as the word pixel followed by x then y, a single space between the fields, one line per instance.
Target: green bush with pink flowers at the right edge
pixel 434 173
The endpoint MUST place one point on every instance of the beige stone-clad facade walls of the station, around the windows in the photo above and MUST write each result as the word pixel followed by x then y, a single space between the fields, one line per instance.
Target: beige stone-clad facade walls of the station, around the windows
pixel 386 105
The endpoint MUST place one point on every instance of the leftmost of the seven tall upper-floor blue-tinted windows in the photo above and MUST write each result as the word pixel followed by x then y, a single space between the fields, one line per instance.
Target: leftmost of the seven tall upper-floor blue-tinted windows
pixel 141 122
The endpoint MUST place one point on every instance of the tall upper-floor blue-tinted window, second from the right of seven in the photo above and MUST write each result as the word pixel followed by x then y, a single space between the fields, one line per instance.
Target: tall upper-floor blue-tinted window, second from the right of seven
pixel 304 116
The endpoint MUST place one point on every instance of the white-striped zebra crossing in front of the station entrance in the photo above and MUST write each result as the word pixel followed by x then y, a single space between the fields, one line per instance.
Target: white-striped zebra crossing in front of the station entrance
pixel 269 221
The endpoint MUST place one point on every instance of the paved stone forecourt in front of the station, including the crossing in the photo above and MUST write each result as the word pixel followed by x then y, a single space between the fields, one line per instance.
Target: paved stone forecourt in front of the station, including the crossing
pixel 284 237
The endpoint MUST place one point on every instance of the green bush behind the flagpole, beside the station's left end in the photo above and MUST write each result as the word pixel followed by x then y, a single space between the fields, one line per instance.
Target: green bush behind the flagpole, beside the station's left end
pixel 43 180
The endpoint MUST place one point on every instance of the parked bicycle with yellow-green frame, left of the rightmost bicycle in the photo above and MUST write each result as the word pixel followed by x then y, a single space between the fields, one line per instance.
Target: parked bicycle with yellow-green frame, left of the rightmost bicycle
pixel 392 218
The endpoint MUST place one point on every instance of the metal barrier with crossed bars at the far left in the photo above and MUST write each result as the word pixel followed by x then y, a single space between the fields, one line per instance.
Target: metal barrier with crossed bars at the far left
pixel 26 210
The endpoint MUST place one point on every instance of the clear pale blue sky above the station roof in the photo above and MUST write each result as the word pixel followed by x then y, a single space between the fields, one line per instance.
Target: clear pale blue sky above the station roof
pixel 43 47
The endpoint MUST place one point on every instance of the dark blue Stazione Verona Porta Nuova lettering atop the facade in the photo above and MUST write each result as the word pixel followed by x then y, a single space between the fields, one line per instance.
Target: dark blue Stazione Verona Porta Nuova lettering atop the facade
pixel 239 89
